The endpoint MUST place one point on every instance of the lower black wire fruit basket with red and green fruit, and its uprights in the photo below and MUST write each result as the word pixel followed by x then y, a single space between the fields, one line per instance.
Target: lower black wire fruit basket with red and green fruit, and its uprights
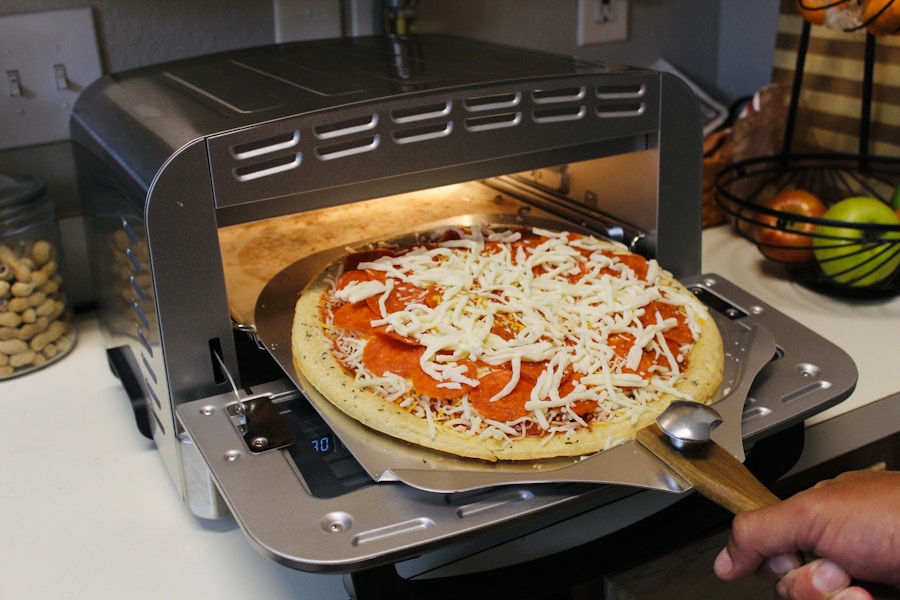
pixel 838 258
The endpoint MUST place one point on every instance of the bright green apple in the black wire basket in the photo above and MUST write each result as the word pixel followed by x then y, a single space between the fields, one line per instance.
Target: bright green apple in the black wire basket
pixel 852 255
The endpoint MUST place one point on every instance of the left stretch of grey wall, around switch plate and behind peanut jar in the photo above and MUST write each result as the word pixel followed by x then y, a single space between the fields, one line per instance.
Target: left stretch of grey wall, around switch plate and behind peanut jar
pixel 130 33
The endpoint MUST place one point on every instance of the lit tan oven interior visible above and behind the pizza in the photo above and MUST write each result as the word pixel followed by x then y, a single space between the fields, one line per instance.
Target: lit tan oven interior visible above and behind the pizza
pixel 582 195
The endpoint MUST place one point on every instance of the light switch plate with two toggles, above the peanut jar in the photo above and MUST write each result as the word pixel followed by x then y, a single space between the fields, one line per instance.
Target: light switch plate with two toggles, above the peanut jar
pixel 46 59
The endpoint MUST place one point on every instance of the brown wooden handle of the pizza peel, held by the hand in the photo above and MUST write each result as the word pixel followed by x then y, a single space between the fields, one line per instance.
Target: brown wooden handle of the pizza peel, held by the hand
pixel 712 470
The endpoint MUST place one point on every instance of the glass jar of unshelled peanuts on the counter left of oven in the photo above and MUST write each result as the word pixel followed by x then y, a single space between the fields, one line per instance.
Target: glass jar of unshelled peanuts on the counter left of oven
pixel 35 316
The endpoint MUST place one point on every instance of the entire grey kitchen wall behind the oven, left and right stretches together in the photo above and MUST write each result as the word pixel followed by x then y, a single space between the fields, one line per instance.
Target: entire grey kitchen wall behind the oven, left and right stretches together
pixel 725 46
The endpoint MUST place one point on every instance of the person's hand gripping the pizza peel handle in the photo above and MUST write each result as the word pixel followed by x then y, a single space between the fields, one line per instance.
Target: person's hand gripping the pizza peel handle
pixel 852 522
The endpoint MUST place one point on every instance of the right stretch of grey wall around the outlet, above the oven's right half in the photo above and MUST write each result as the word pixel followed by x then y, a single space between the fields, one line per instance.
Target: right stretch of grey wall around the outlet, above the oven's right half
pixel 726 46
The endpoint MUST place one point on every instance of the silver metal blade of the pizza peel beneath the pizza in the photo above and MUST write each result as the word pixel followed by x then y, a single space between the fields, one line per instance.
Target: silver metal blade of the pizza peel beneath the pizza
pixel 388 459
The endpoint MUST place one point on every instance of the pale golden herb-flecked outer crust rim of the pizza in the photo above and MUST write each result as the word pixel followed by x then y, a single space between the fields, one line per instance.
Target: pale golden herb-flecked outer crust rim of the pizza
pixel 314 359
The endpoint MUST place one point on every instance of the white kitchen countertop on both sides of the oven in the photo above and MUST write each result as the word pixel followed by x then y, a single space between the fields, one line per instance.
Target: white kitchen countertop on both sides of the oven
pixel 87 509
